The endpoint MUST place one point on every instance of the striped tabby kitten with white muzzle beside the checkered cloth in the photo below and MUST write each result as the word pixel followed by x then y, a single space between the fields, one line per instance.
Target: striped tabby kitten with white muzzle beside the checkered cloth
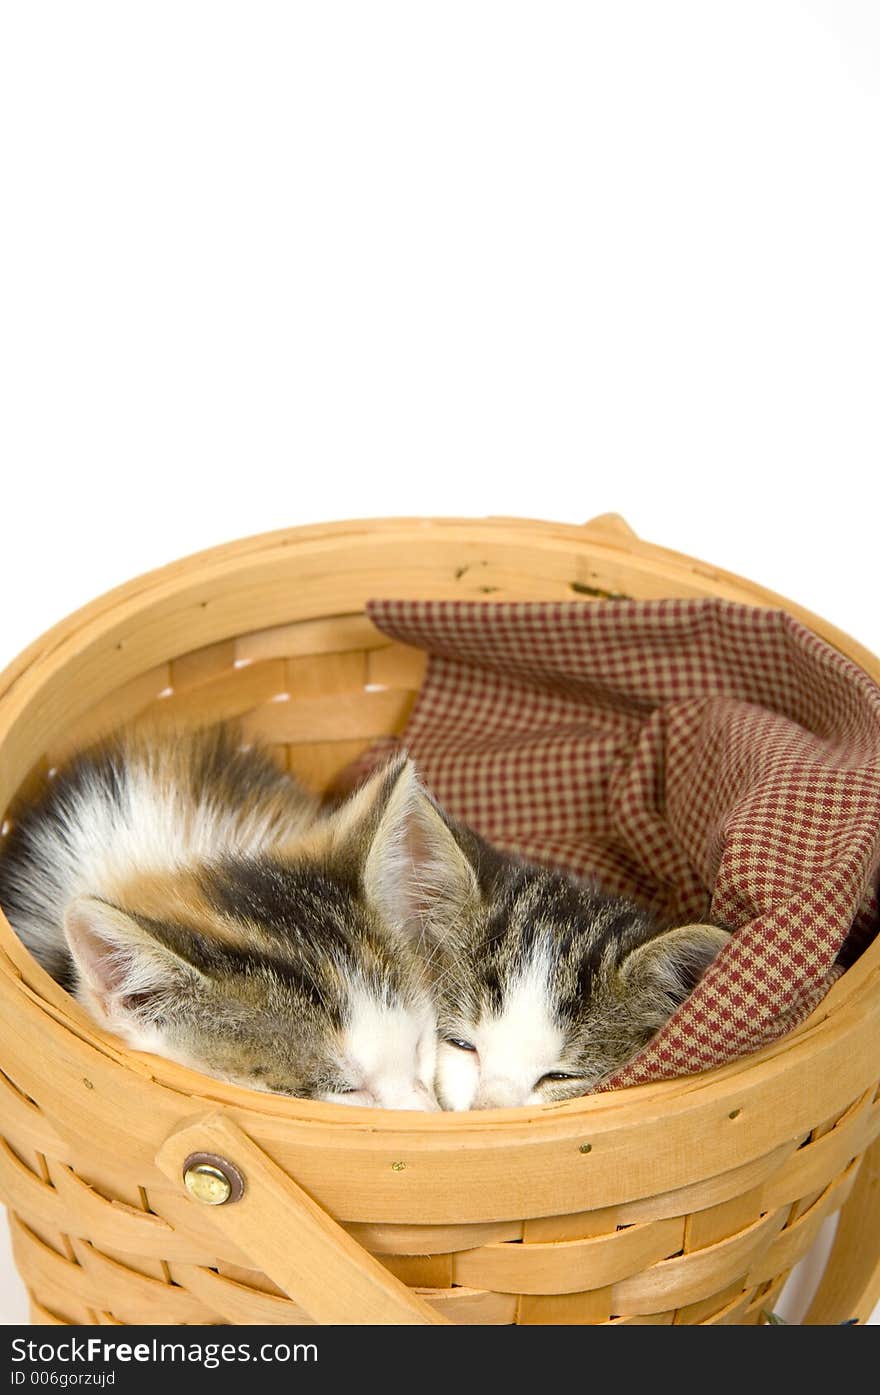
pixel 546 987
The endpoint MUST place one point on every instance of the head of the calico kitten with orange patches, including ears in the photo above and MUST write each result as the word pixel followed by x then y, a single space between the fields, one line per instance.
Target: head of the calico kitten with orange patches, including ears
pixel 278 972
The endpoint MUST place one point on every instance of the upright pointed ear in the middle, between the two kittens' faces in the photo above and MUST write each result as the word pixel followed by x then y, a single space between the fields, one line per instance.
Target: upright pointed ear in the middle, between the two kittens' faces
pixel 414 871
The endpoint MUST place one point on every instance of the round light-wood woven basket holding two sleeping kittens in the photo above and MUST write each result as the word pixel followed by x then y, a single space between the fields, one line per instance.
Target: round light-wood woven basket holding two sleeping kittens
pixel 685 1202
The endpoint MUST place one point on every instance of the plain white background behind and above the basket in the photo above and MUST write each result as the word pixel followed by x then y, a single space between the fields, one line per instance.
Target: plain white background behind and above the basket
pixel 270 264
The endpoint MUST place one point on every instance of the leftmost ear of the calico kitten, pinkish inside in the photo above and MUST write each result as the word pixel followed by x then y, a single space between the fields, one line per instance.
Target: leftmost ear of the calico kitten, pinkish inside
pixel 122 966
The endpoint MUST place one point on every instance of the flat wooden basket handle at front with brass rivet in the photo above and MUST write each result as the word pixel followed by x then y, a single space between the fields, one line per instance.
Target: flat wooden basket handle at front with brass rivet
pixel 291 1238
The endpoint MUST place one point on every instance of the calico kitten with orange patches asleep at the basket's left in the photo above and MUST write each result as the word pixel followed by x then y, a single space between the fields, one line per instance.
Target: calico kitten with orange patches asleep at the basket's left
pixel 200 906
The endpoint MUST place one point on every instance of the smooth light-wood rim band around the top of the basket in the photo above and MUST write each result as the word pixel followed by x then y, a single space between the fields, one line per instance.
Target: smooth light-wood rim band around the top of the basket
pixel 853 1000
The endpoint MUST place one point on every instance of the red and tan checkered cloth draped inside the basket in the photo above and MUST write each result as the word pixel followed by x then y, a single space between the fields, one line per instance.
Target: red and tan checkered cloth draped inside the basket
pixel 706 758
